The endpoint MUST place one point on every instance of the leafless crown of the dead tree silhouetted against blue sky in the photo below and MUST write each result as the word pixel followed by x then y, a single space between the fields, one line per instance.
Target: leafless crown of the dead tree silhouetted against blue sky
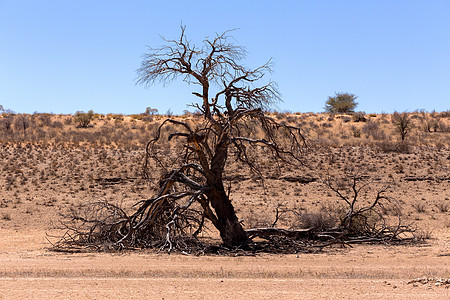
pixel 215 62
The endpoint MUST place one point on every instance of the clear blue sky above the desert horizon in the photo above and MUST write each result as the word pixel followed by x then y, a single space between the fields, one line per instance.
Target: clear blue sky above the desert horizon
pixel 64 56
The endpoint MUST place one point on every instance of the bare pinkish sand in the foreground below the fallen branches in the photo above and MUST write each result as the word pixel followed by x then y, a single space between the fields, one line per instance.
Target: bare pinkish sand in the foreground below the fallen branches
pixel 29 271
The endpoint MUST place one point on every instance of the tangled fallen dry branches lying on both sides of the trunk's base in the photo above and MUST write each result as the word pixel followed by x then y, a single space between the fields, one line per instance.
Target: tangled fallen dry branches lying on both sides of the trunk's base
pixel 169 222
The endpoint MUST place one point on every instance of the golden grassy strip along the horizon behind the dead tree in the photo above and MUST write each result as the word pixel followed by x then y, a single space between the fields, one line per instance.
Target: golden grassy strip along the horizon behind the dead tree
pixel 377 131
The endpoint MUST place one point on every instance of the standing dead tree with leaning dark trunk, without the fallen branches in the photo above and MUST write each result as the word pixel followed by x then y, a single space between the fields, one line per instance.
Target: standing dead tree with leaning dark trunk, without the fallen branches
pixel 238 102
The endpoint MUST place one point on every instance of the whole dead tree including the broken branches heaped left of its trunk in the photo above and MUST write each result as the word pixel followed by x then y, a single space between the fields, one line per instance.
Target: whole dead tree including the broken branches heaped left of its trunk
pixel 233 123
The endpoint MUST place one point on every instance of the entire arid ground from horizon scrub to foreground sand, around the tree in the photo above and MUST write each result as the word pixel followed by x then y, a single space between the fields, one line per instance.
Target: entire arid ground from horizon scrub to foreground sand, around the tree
pixel 50 164
